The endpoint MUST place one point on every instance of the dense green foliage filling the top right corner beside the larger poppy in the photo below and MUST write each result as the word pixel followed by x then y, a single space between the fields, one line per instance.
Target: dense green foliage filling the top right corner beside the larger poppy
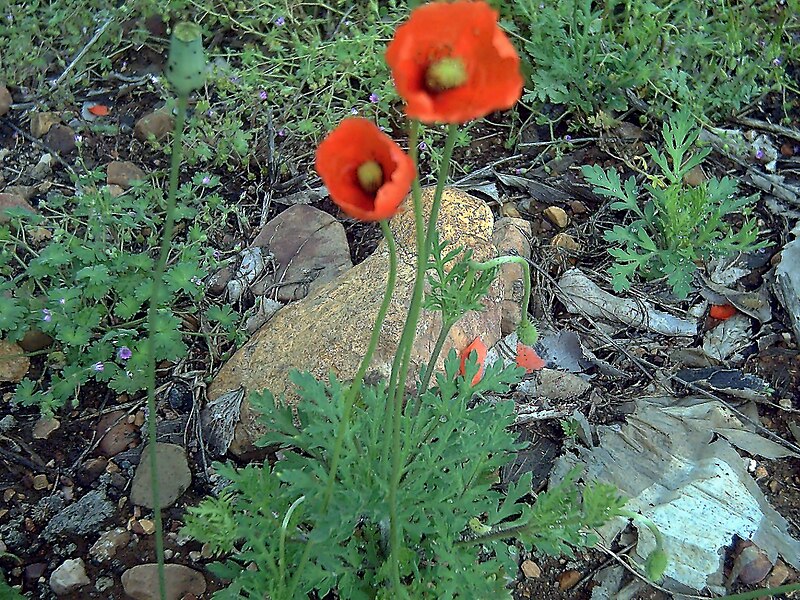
pixel 710 57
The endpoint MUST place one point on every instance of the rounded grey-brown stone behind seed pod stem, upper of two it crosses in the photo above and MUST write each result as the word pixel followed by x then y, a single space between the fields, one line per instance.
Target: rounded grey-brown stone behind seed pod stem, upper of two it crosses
pixel 174 476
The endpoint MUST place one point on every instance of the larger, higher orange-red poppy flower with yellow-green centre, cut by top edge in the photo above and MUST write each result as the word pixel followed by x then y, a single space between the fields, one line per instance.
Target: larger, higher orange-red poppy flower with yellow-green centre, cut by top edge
pixel 452 63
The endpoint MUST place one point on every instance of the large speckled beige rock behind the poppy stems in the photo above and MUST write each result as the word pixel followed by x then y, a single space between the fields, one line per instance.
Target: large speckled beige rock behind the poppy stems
pixel 329 329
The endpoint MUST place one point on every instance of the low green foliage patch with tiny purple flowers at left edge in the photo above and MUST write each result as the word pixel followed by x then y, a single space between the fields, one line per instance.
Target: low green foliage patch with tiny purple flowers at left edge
pixel 88 286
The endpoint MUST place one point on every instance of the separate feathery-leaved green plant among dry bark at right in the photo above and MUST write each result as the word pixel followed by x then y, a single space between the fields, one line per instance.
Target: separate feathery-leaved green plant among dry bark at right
pixel 678 226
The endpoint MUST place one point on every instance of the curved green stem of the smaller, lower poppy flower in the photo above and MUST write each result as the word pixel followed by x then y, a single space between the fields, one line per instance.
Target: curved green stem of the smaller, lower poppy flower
pixel 352 393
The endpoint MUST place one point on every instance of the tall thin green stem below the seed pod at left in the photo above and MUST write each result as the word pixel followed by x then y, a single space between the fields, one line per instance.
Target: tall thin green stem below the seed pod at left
pixel 152 311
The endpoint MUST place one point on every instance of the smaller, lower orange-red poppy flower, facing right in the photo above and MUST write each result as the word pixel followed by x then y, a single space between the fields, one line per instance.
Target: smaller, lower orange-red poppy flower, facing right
pixel 366 173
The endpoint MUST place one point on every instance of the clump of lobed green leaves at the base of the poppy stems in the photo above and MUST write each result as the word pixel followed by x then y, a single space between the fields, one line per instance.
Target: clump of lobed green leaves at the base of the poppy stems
pixel 449 506
